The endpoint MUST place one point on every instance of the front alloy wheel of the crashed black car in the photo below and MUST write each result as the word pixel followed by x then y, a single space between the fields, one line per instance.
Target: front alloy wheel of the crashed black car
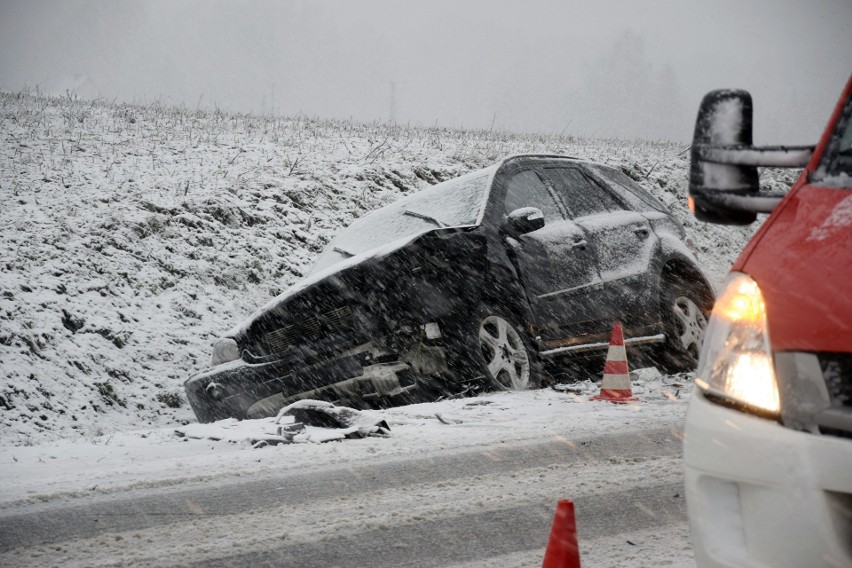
pixel 504 353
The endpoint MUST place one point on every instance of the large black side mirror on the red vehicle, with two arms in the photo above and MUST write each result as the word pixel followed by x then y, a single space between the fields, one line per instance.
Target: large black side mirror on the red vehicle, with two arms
pixel 723 181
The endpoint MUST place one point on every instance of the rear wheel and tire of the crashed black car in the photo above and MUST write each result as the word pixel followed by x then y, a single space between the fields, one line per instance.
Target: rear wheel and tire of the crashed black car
pixel 685 312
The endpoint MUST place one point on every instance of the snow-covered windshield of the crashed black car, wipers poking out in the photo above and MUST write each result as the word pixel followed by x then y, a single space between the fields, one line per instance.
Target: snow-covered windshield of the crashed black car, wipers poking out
pixel 454 203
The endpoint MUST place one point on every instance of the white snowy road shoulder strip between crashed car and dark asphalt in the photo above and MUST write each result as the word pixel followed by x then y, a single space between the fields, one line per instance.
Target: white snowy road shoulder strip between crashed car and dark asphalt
pixel 162 457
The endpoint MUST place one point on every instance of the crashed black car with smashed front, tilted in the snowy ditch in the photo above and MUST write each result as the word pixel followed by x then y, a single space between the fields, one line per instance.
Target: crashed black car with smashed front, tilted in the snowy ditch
pixel 470 283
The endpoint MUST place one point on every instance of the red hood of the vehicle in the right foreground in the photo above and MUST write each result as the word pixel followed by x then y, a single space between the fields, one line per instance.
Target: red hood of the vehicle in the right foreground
pixel 802 264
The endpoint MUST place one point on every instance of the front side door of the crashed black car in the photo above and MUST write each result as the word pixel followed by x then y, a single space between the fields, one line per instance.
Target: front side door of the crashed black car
pixel 555 263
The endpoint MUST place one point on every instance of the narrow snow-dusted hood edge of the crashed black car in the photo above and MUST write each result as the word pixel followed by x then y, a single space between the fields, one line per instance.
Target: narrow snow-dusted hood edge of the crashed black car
pixel 338 276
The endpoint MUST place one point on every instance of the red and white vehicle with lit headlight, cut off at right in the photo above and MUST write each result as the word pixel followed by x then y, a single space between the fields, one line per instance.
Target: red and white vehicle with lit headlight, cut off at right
pixel 768 434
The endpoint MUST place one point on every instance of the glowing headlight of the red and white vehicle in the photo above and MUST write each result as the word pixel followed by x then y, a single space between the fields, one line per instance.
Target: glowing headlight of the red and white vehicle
pixel 736 360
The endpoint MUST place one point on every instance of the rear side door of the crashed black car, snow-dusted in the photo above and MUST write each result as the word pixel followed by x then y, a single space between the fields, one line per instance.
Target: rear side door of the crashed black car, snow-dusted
pixel 624 245
